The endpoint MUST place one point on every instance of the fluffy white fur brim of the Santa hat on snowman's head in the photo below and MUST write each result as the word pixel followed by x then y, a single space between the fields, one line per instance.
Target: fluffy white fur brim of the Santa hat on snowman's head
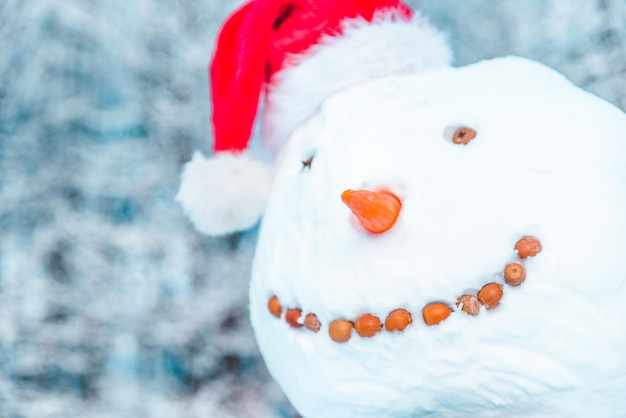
pixel 366 51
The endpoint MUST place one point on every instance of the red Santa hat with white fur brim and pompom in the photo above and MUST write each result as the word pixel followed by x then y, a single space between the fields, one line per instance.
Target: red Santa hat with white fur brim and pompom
pixel 296 52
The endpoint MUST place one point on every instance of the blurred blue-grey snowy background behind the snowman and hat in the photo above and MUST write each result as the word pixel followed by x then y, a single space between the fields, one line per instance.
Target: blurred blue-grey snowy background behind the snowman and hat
pixel 110 304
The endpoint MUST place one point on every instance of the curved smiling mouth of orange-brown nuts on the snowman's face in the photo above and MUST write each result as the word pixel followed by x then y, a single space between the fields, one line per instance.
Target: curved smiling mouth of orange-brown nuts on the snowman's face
pixel 368 325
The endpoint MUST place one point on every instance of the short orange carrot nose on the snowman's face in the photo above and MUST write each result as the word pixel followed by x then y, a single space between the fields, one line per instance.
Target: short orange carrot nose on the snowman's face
pixel 377 211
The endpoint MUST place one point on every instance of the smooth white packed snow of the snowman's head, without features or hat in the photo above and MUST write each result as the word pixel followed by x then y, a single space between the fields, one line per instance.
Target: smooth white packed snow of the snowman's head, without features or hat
pixel 548 161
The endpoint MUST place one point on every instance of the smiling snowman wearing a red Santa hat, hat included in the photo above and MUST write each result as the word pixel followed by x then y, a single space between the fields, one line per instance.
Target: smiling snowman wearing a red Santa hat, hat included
pixel 435 241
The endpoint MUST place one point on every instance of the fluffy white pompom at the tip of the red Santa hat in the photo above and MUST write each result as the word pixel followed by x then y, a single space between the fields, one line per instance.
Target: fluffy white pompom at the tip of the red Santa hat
pixel 224 194
